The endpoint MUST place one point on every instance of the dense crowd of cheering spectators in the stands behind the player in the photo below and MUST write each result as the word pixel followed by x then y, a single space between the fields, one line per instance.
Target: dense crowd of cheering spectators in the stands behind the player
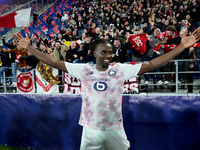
pixel 163 22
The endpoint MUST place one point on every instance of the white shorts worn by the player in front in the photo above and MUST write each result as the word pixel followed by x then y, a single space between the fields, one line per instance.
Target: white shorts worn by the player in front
pixel 104 140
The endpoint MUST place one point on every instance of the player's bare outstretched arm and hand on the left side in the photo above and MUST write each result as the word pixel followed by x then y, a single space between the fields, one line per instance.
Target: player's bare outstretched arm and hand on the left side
pixel 25 43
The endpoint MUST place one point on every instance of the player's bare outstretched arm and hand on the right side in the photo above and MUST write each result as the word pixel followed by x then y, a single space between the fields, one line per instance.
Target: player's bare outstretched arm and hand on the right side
pixel 186 42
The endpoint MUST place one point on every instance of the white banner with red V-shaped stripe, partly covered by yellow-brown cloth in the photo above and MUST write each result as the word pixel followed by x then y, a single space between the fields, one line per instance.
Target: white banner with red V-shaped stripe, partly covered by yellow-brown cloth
pixel 45 87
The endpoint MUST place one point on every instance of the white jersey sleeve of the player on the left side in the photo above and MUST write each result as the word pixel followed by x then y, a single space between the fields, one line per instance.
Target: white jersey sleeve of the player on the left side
pixel 74 69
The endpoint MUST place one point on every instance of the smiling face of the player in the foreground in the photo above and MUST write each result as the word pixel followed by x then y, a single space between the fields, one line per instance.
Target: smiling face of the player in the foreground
pixel 103 54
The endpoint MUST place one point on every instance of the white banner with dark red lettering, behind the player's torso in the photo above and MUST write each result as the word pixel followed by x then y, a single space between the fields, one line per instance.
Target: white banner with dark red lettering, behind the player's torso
pixel 73 86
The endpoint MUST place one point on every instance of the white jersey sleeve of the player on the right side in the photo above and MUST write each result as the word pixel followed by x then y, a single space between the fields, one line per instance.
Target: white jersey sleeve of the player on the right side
pixel 129 70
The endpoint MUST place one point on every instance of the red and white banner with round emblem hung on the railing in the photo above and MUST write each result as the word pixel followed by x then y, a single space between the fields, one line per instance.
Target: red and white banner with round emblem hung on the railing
pixel 25 82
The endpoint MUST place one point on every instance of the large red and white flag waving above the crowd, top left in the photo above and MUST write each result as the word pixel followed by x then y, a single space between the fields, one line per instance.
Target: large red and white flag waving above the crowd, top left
pixel 20 18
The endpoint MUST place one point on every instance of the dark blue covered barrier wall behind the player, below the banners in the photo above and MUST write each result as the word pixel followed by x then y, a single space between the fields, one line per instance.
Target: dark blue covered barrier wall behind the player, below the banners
pixel 152 122
